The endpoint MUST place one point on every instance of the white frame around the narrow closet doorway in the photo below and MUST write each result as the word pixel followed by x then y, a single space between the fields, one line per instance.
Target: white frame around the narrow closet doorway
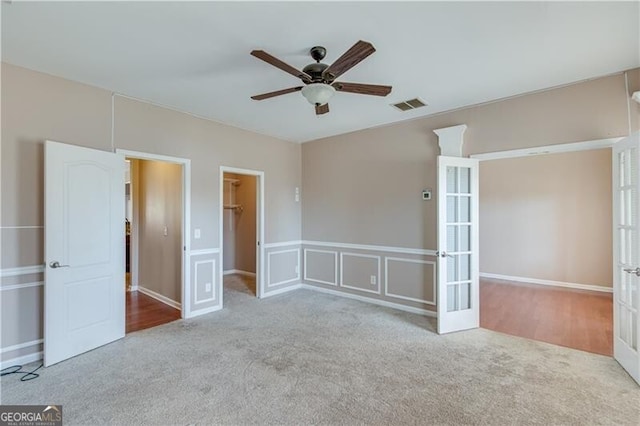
pixel 259 174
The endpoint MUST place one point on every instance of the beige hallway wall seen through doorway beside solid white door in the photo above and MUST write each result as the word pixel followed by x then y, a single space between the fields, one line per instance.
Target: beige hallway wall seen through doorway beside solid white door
pixel 159 206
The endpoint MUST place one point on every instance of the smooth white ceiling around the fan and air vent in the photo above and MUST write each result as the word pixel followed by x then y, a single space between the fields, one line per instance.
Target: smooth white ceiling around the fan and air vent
pixel 194 56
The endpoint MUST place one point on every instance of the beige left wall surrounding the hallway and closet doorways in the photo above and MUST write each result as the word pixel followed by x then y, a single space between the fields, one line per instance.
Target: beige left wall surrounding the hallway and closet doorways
pixel 36 107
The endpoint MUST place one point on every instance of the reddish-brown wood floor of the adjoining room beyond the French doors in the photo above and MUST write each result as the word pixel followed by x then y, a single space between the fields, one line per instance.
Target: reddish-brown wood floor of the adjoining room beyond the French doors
pixel 572 318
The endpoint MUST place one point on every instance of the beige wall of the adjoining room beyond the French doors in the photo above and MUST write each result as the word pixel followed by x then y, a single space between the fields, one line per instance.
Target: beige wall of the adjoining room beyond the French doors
pixel 548 217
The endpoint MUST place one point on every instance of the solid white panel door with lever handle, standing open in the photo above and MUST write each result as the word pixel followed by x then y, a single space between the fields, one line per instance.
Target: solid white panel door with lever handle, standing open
pixel 84 301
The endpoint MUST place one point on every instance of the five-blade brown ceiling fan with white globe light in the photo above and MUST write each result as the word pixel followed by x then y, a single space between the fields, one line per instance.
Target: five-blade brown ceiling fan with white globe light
pixel 319 78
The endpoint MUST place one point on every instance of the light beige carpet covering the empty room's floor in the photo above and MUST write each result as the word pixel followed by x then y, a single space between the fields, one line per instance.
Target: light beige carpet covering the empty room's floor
pixel 310 358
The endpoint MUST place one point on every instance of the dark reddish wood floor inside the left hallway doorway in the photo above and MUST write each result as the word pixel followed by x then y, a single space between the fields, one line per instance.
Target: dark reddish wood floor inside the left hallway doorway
pixel 146 312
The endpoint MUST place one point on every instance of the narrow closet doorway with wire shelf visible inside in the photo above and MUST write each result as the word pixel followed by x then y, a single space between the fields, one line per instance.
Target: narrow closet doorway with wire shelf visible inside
pixel 241 230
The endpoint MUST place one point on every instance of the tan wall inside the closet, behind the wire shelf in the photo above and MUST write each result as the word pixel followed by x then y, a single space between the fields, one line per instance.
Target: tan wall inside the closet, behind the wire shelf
pixel 240 226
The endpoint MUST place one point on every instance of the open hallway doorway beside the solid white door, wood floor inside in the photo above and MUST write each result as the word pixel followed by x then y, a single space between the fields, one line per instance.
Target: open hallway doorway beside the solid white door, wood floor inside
pixel 154 197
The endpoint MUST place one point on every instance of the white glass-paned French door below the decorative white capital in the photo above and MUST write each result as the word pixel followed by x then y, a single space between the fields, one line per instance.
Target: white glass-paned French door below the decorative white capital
pixel 458 271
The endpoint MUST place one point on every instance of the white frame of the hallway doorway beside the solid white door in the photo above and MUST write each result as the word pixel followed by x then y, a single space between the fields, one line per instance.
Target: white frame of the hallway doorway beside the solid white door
pixel 186 223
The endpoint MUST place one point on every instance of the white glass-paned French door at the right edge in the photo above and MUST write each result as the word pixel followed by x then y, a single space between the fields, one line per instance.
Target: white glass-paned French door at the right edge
pixel 626 254
